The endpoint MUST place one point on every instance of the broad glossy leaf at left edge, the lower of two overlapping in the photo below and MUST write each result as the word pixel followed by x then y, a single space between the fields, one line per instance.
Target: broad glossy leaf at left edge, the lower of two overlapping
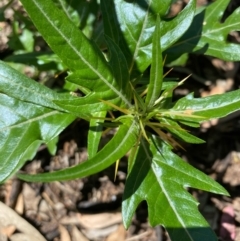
pixel 23 128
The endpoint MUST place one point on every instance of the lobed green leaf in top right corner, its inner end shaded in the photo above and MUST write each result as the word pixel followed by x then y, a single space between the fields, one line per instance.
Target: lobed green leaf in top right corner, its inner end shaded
pixel 208 34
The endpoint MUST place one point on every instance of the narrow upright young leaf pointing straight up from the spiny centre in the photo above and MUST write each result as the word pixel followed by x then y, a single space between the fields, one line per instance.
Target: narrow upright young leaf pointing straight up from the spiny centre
pixel 155 83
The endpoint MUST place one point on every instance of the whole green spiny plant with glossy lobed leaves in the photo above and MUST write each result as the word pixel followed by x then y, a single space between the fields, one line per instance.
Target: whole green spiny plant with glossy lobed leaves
pixel 118 67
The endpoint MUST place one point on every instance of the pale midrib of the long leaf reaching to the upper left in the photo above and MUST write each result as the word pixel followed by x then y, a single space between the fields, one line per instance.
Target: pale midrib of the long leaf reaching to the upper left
pixel 119 94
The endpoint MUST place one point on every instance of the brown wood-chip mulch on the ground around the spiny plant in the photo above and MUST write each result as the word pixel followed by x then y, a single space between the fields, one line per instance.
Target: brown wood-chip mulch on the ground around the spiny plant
pixel 90 208
